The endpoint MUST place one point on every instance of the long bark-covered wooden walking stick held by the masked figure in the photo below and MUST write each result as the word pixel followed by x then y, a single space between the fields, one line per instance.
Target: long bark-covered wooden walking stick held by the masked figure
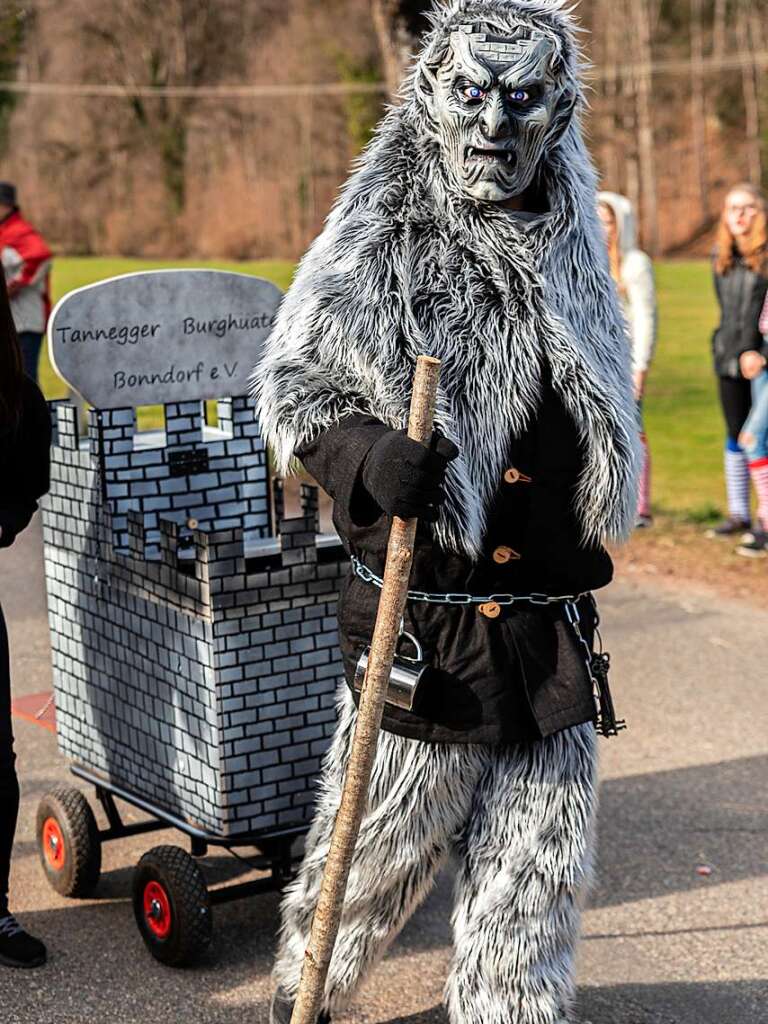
pixel 357 781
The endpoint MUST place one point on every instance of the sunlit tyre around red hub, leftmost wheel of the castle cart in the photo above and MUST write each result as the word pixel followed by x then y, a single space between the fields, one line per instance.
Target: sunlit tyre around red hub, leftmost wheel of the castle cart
pixel 78 877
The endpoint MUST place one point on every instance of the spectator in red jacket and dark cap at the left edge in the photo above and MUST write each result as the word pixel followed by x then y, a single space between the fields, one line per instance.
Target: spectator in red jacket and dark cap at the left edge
pixel 27 262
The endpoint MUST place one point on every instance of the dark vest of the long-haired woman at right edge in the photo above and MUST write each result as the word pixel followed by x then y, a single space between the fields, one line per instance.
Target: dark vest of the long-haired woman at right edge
pixel 741 294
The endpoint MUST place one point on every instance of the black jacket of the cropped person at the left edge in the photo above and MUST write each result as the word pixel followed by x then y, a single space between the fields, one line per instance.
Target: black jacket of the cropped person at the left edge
pixel 25 457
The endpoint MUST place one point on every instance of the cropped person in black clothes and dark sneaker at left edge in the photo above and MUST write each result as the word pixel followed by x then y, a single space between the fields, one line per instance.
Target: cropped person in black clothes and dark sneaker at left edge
pixel 25 447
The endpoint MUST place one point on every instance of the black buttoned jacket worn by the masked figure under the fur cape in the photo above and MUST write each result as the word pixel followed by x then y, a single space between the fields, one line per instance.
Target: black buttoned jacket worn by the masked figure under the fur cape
pixel 520 676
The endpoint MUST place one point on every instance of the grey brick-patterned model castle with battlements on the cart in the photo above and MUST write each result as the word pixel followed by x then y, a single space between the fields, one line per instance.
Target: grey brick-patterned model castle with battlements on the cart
pixel 193 625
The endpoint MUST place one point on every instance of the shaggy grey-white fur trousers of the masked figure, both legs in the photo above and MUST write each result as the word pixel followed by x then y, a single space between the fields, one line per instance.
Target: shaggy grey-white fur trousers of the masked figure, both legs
pixel 522 818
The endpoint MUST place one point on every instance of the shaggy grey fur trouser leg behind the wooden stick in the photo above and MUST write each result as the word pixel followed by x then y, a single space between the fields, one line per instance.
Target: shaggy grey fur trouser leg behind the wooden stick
pixel 419 800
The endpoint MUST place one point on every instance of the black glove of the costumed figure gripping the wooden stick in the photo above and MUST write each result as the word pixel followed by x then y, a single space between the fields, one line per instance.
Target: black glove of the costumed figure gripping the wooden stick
pixel 405 479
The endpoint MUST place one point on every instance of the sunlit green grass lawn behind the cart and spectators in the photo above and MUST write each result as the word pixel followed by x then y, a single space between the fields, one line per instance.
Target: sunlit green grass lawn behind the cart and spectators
pixel 681 414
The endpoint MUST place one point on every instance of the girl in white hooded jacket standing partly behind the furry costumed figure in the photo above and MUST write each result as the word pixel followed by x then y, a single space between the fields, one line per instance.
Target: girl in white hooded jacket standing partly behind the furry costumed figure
pixel 633 272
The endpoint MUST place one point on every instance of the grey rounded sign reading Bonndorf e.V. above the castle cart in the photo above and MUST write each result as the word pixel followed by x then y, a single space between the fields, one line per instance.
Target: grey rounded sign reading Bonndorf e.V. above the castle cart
pixel 162 336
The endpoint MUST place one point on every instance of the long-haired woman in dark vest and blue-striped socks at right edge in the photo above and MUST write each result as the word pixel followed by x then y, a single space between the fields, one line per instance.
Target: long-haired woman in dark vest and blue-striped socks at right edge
pixel 741 282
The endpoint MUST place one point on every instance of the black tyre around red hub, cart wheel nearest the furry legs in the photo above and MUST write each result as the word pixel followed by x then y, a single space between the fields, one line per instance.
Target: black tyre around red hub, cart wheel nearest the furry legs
pixel 192 921
